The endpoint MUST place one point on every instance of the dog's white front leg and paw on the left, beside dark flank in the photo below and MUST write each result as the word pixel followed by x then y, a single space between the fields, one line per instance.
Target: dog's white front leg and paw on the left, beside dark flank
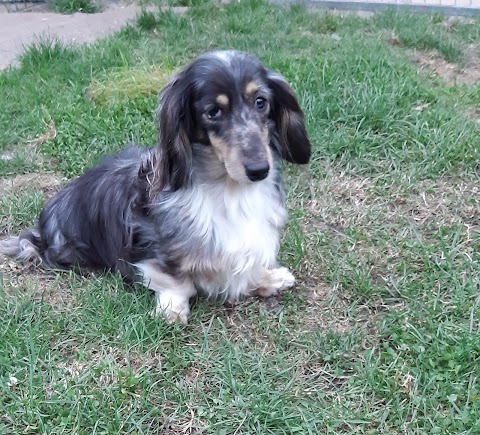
pixel 172 294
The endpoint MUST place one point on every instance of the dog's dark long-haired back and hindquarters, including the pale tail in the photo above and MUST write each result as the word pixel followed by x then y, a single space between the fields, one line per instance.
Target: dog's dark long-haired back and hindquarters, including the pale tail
pixel 86 225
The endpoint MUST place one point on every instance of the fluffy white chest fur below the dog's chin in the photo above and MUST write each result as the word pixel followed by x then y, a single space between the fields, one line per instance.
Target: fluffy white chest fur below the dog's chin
pixel 239 226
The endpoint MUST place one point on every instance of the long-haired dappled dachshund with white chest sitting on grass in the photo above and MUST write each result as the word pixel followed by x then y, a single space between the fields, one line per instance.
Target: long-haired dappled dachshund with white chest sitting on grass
pixel 204 209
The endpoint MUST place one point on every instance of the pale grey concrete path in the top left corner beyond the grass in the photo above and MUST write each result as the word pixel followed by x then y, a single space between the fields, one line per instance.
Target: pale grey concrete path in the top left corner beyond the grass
pixel 22 28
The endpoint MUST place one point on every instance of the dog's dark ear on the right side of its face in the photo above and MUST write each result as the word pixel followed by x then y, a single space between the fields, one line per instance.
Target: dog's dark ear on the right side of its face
pixel 293 138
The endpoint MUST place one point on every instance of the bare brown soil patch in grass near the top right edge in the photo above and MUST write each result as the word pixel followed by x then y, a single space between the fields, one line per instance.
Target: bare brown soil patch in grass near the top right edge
pixel 450 73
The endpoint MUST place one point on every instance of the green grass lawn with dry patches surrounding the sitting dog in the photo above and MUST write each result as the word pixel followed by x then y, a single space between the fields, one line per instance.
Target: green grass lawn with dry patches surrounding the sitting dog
pixel 381 334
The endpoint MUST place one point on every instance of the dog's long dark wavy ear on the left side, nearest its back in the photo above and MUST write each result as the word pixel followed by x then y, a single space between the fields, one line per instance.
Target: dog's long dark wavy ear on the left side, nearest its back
pixel 172 160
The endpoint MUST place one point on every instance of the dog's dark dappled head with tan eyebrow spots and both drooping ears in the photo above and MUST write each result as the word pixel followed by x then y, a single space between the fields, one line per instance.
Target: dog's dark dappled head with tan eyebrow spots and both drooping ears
pixel 230 101
